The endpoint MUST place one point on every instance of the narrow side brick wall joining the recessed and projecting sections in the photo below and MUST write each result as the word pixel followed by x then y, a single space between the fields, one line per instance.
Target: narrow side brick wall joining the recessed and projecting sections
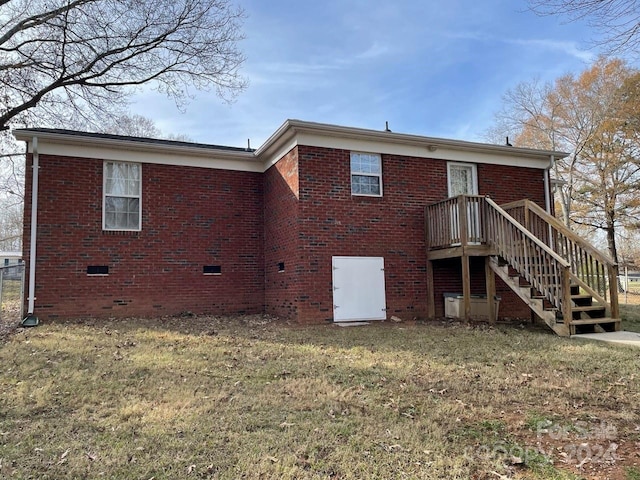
pixel 281 236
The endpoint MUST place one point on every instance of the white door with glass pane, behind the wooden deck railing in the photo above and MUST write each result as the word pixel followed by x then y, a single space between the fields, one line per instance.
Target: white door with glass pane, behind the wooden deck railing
pixel 462 179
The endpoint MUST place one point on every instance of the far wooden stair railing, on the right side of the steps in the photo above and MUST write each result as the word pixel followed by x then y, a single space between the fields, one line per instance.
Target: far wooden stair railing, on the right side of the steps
pixel 595 273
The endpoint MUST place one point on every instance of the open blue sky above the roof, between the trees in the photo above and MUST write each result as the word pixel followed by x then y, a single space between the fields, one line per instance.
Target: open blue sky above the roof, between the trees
pixel 428 67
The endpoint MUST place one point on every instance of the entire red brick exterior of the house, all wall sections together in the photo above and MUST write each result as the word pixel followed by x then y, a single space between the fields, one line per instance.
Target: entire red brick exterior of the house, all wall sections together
pixel 300 212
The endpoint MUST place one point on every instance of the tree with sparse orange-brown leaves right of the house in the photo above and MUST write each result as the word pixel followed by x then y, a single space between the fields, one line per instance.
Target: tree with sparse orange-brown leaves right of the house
pixel 594 117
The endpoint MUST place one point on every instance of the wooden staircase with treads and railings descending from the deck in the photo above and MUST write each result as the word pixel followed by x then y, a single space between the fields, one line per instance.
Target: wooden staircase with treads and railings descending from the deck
pixel 566 282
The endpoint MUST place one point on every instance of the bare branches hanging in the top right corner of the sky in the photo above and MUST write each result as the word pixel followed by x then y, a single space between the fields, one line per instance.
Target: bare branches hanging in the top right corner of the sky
pixel 617 20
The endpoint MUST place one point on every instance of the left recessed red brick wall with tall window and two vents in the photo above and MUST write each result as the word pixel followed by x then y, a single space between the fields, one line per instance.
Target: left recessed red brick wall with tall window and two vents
pixel 191 217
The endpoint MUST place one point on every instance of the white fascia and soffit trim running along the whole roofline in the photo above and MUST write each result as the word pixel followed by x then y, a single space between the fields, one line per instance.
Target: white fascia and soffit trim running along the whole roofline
pixel 290 134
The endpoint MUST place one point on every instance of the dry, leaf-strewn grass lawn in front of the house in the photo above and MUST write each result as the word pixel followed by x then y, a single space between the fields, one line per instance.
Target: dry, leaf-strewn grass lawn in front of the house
pixel 250 398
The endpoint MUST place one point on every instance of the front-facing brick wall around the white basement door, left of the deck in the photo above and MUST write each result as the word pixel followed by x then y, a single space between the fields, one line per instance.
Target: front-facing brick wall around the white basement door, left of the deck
pixel 333 222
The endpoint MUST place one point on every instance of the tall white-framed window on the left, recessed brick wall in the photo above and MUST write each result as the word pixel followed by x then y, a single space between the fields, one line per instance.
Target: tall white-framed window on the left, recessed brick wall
pixel 122 205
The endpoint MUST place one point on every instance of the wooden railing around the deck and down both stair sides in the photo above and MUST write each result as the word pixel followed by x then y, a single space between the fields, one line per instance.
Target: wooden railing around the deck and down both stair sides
pixel 539 247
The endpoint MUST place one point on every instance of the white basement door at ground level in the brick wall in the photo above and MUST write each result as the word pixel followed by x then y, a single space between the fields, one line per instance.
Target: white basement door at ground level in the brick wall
pixel 358 289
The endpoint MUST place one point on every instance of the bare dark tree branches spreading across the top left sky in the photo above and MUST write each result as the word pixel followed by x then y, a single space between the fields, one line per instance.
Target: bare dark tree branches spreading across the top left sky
pixel 85 55
